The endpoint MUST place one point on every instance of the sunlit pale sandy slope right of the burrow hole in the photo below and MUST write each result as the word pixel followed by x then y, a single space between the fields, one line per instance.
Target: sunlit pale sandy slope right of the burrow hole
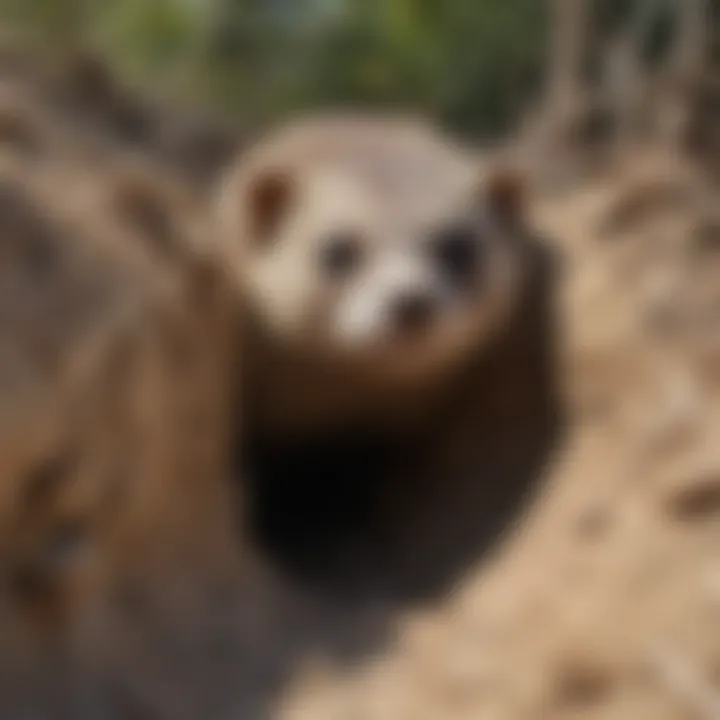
pixel 603 601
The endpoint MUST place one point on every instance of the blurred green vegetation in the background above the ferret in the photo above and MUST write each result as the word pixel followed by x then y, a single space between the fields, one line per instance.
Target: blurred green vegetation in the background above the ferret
pixel 474 65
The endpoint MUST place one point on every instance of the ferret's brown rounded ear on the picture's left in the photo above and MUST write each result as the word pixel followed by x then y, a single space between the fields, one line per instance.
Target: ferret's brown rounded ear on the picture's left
pixel 269 194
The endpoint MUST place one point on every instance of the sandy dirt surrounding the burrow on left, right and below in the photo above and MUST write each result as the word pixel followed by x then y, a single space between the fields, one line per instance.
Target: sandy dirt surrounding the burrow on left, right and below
pixel 554 574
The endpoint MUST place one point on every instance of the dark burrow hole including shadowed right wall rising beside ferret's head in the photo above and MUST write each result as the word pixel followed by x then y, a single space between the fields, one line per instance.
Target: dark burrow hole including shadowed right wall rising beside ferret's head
pixel 367 517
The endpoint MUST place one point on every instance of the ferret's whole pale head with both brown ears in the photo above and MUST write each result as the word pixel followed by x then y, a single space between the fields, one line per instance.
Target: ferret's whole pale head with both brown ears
pixel 386 248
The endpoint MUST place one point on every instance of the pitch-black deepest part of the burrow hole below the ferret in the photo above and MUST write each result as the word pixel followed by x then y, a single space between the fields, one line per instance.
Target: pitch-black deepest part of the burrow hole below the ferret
pixel 313 504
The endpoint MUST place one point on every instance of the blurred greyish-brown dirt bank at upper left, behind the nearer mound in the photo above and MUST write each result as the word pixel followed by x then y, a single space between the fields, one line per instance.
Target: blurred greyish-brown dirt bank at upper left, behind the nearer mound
pixel 77 99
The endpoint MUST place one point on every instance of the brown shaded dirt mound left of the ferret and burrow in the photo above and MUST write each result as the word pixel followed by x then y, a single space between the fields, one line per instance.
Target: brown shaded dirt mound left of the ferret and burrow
pixel 114 426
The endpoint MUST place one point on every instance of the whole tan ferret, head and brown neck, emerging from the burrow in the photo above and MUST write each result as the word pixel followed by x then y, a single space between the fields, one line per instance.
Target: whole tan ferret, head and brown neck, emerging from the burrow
pixel 374 257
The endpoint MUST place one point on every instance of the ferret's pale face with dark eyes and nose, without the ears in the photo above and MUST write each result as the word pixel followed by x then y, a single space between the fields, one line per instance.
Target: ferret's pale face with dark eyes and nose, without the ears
pixel 362 275
